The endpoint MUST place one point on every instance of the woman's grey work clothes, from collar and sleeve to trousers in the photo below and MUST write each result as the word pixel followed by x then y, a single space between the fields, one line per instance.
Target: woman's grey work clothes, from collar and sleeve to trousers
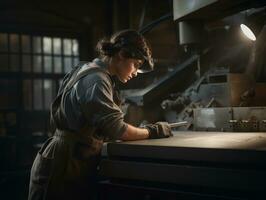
pixel 66 165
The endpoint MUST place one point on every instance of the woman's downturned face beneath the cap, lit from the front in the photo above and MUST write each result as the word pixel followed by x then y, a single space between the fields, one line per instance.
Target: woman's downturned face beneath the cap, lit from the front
pixel 127 68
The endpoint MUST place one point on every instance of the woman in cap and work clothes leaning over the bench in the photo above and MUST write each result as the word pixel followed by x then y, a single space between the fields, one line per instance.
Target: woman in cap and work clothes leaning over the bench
pixel 84 114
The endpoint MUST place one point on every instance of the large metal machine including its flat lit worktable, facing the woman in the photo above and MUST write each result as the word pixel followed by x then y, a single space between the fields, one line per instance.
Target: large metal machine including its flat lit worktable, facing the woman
pixel 221 152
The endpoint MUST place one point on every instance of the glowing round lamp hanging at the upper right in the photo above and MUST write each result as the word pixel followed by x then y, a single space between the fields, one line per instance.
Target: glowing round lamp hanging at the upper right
pixel 254 24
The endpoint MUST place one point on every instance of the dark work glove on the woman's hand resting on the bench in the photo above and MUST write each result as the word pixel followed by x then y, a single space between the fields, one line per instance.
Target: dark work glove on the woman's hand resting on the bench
pixel 159 130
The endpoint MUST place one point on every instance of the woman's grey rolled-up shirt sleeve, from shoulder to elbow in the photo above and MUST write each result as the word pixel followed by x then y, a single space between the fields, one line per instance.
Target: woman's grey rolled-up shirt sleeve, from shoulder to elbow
pixel 101 111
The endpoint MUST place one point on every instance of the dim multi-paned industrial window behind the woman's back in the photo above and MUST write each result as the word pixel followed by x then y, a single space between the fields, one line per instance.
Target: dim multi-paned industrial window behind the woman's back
pixel 33 65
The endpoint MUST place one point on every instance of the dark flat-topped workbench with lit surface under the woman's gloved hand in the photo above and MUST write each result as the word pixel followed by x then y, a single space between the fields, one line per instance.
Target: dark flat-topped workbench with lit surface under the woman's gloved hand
pixel 228 165
